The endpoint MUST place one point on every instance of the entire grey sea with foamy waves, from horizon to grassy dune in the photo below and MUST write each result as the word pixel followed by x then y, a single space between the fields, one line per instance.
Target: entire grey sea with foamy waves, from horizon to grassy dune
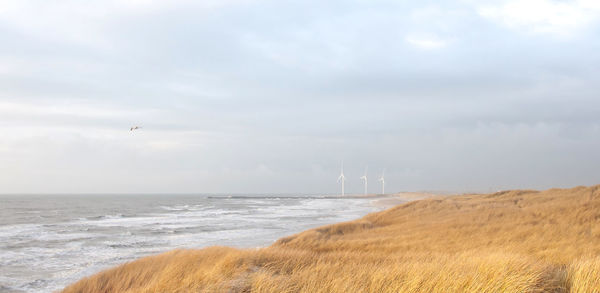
pixel 50 241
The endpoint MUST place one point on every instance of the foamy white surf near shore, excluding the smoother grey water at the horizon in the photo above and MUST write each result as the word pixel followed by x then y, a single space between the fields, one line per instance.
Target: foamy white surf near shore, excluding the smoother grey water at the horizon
pixel 63 252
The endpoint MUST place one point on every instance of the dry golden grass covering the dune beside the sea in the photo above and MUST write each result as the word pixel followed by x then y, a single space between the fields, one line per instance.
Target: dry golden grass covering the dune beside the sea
pixel 515 241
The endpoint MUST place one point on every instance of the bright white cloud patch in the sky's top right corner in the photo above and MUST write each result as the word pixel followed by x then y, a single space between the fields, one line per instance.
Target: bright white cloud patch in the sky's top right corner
pixel 561 18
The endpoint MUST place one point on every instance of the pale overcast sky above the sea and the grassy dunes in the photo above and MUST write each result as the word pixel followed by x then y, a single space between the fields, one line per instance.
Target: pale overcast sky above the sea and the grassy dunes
pixel 243 96
